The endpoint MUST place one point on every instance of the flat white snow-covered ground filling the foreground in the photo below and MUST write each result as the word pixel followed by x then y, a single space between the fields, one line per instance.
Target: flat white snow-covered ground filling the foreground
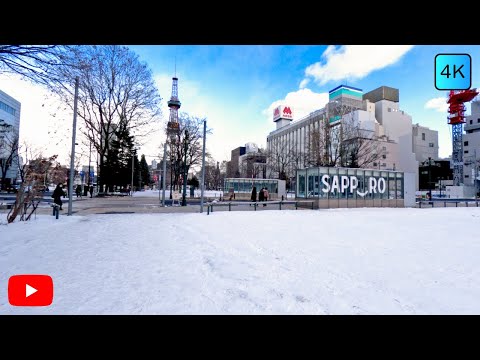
pixel 343 261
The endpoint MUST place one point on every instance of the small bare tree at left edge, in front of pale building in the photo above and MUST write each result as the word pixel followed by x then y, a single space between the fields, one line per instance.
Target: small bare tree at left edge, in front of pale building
pixel 8 149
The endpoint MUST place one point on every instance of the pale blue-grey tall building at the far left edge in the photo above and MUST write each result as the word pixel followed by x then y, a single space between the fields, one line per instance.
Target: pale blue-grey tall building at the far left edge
pixel 9 116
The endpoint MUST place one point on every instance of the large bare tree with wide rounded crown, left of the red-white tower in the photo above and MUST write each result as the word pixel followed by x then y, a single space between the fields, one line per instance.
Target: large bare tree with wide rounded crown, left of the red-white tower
pixel 115 89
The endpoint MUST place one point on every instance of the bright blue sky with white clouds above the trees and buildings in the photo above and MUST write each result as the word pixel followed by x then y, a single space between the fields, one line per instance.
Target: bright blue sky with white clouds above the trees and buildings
pixel 236 88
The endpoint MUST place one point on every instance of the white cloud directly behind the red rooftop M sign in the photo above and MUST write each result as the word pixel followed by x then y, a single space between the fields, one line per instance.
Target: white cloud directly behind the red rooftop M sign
pixel 303 102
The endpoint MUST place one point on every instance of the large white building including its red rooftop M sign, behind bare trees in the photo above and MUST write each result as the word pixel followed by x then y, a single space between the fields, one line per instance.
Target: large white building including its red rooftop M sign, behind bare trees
pixel 377 111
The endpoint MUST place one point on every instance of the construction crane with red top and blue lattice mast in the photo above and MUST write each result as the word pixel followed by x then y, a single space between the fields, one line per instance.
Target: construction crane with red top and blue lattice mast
pixel 456 118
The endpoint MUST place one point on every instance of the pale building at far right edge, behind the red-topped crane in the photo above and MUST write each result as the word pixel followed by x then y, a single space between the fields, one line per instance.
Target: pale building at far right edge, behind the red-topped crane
pixel 471 145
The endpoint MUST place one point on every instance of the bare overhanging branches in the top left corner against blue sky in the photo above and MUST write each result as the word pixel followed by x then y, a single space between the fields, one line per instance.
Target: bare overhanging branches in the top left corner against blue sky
pixel 34 62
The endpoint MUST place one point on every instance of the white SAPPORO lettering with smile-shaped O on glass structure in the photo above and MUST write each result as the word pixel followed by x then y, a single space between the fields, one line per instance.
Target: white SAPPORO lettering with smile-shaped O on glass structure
pixel 344 183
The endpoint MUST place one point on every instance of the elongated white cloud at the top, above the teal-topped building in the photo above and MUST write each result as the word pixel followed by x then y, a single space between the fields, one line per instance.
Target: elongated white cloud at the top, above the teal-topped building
pixel 352 62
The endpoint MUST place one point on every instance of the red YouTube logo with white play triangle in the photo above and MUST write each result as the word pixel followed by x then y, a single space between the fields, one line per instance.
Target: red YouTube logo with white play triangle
pixel 30 290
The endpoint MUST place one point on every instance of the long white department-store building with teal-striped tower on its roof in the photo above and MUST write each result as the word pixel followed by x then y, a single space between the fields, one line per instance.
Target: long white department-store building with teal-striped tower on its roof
pixel 303 143
